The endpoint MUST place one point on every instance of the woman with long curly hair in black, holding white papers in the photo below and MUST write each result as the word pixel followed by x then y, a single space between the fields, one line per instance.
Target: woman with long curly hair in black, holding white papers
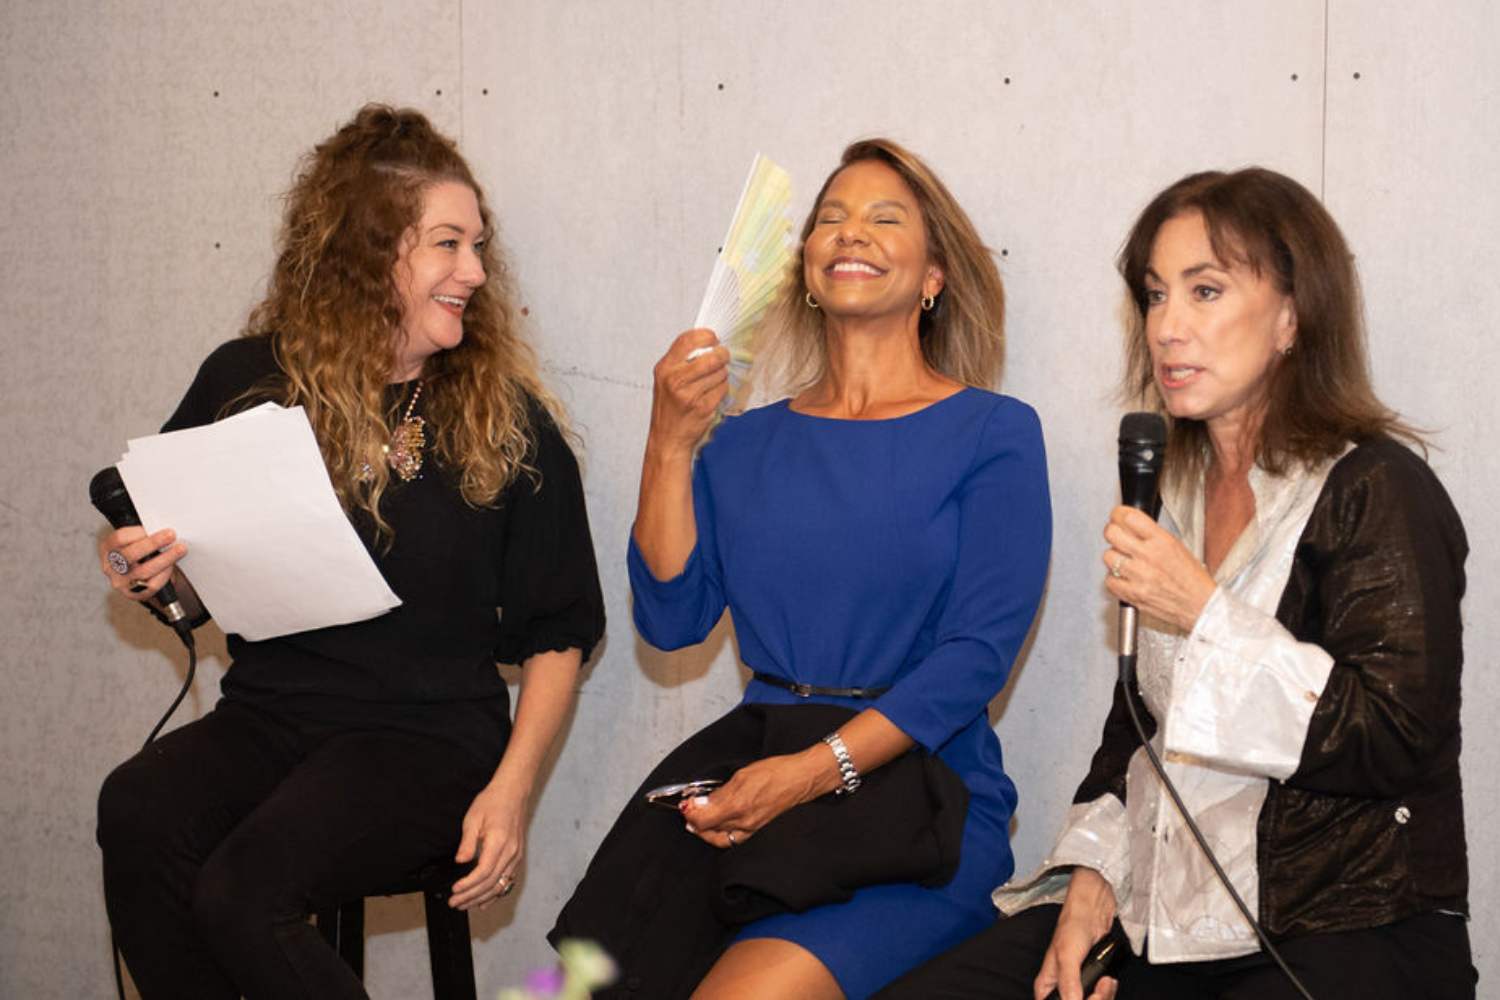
pixel 352 756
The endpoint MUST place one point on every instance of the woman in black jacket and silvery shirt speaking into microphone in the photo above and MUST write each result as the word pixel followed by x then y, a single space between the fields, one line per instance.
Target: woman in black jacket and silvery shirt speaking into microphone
pixel 1300 651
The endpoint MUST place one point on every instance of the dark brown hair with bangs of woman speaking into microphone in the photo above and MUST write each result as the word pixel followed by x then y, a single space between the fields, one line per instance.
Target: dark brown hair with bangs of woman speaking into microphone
pixel 1319 397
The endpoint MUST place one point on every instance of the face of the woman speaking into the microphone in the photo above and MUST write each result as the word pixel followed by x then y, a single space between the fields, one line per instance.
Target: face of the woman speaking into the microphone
pixel 1214 329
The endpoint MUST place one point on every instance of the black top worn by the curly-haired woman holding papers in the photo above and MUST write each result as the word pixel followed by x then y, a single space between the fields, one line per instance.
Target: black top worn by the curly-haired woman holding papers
pixel 430 665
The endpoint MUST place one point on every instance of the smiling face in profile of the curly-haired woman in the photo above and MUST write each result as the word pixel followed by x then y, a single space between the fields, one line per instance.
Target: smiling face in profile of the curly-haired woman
pixel 437 272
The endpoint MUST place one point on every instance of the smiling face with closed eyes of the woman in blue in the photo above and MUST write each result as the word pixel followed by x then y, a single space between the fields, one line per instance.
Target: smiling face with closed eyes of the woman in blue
pixel 866 256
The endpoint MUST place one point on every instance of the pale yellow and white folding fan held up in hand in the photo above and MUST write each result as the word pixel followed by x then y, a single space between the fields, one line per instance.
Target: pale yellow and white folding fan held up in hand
pixel 751 268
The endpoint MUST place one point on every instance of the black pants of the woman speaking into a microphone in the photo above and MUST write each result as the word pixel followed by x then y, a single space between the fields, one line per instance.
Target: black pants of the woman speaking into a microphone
pixel 1420 959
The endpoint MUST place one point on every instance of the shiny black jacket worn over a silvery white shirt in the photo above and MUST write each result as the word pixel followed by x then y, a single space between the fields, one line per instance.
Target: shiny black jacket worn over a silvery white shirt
pixel 1370 828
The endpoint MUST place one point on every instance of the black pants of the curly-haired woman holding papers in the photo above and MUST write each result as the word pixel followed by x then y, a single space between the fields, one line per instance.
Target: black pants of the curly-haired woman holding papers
pixel 223 836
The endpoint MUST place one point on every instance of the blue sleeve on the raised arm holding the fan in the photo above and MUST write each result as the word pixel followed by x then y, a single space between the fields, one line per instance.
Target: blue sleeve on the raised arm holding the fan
pixel 683 611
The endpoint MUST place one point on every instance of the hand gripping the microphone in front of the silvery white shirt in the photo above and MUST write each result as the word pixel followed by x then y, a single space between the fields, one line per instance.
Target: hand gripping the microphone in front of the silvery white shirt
pixel 1150 569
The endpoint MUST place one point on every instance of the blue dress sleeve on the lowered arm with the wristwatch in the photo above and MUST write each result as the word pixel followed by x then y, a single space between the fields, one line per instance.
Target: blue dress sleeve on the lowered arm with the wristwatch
pixel 1004 546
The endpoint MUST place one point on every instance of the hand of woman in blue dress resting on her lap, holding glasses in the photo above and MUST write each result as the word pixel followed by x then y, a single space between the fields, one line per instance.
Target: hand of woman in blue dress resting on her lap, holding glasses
pixel 758 794
